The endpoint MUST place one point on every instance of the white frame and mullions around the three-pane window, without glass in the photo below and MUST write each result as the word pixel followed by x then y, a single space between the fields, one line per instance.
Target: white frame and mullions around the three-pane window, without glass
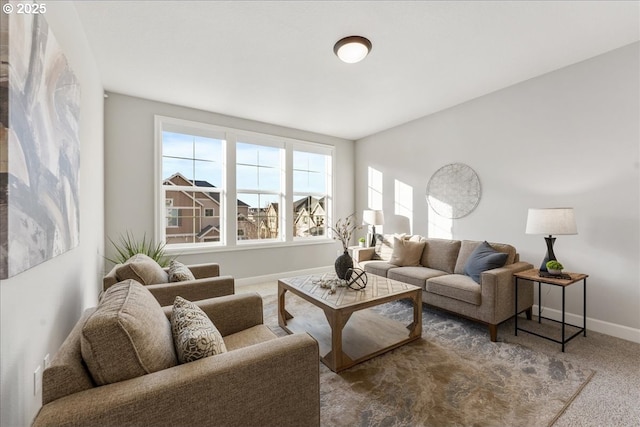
pixel 229 237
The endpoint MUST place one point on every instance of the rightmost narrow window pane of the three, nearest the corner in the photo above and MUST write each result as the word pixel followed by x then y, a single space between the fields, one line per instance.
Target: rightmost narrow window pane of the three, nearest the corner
pixel 311 180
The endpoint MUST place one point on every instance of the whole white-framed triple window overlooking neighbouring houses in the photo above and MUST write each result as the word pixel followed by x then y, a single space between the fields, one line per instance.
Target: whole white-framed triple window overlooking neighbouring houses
pixel 225 187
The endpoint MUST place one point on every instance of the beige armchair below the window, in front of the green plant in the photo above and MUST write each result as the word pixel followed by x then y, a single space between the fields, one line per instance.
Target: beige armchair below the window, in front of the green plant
pixel 207 284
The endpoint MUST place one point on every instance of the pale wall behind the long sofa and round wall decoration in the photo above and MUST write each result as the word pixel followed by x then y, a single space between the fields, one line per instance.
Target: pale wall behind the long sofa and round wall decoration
pixel 567 138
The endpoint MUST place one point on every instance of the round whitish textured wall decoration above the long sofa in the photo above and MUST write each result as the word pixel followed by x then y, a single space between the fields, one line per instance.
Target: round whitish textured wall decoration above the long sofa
pixel 453 191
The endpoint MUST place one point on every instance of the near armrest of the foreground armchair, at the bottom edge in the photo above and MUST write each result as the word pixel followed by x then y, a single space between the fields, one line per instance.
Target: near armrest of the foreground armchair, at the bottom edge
pixel 274 383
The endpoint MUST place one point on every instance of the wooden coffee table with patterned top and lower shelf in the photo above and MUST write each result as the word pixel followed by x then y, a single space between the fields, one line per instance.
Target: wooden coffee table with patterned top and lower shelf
pixel 347 332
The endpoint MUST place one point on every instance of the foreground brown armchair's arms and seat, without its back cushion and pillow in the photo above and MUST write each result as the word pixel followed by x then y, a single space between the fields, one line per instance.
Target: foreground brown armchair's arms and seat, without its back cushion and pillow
pixel 262 380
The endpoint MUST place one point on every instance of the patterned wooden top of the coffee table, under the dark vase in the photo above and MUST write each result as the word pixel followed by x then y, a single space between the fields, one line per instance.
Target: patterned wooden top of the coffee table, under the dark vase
pixel 377 290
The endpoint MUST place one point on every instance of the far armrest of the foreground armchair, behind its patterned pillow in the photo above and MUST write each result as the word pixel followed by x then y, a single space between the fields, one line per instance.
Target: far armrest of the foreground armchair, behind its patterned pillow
pixel 231 313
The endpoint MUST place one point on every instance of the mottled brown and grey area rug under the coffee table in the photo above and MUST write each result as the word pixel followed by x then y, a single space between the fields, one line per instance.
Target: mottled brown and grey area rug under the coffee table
pixel 453 376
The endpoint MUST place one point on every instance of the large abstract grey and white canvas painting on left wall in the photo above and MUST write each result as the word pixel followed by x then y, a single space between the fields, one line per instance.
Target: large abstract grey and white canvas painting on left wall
pixel 39 146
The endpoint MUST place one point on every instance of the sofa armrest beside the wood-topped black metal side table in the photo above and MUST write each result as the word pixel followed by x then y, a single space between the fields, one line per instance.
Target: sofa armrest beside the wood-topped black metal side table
pixel 498 290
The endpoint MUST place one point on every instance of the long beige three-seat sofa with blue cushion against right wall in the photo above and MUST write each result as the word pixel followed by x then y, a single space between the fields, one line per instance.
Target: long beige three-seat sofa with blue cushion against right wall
pixel 438 267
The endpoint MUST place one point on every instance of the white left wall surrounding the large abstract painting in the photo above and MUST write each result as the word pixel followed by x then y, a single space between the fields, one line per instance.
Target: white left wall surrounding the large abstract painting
pixel 40 306
